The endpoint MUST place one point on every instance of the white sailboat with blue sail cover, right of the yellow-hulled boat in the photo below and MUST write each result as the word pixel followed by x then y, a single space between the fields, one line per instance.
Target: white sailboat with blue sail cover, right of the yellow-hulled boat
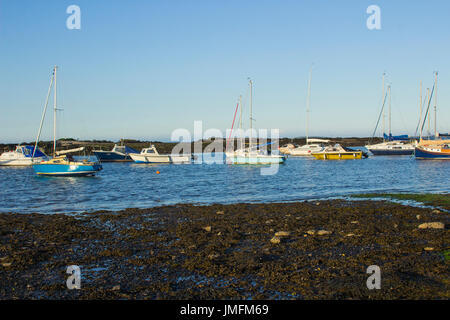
pixel 391 145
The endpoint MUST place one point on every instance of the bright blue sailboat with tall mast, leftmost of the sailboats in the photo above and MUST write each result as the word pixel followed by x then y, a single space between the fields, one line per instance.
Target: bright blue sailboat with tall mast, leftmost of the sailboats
pixel 62 163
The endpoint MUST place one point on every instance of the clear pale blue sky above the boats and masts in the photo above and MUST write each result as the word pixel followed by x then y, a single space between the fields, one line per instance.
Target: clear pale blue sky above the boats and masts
pixel 140 69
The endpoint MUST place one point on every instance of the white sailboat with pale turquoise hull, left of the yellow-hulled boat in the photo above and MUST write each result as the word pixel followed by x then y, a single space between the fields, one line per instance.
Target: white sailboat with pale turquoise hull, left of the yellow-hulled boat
pixel 251 154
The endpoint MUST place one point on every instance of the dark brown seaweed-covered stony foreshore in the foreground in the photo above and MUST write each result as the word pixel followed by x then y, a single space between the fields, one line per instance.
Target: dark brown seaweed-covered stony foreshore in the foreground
pixel 322 251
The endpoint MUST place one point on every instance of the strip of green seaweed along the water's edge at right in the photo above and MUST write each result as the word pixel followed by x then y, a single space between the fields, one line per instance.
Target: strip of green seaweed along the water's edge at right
pixel 433 199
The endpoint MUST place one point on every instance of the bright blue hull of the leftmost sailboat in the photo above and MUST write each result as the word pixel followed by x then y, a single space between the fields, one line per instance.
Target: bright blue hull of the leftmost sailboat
pixel 75 169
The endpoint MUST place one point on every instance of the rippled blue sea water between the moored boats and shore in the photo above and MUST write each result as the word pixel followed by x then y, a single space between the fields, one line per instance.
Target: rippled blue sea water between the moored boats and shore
pixel 129 185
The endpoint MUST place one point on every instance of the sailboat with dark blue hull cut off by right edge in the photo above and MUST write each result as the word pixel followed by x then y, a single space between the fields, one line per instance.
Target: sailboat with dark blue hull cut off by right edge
pixel 434 148
